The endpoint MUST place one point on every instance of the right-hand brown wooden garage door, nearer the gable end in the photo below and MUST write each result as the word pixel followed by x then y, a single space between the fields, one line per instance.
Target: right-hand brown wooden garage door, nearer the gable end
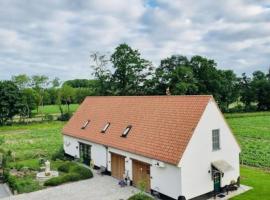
pixel 141 174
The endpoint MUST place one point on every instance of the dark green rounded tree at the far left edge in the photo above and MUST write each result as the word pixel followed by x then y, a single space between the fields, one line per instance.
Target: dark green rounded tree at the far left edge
pixel 10 101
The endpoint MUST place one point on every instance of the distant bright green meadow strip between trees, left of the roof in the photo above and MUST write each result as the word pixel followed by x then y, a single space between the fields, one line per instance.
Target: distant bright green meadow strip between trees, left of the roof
pixel 54 109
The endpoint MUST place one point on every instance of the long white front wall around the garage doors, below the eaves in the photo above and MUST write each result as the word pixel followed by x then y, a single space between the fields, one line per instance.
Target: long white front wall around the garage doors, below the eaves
pixel 166 180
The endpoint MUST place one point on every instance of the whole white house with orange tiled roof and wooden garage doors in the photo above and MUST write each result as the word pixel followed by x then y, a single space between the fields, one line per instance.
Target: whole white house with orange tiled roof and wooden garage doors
pixel 179 146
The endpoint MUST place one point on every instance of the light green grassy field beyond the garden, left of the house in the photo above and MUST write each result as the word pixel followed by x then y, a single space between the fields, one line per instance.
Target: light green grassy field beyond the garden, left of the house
pixel 32 140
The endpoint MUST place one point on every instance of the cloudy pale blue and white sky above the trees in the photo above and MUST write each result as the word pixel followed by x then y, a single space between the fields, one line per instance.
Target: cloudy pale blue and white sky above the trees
pixel 56 37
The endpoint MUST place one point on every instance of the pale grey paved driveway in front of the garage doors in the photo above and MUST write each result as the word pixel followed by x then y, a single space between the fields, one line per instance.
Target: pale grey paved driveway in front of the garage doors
pixel 97 188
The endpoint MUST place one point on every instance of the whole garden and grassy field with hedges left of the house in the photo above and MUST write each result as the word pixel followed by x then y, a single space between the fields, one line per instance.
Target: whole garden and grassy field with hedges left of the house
pixel 27 147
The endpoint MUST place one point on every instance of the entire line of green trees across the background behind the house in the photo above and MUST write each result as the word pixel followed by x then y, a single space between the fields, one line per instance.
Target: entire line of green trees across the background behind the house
pixel 126 72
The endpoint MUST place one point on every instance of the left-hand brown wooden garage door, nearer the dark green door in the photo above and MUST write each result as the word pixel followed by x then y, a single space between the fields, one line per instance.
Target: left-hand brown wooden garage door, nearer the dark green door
pixel 117 166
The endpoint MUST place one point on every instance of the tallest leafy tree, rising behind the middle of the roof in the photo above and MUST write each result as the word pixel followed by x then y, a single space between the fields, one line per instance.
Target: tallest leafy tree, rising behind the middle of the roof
pixel 130 71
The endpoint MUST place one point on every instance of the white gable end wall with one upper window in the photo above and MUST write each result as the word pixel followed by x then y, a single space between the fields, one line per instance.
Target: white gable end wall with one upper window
pixel 197 158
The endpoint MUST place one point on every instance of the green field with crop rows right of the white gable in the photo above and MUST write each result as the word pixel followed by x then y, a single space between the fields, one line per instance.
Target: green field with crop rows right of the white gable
pixel 253 133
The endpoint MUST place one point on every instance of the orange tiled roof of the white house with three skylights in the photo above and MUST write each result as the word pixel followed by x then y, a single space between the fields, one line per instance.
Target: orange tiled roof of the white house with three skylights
pixel 161 125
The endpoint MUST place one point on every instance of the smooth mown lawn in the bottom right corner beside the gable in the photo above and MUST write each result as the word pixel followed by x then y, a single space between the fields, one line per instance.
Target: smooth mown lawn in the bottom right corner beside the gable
pixel 259 180
